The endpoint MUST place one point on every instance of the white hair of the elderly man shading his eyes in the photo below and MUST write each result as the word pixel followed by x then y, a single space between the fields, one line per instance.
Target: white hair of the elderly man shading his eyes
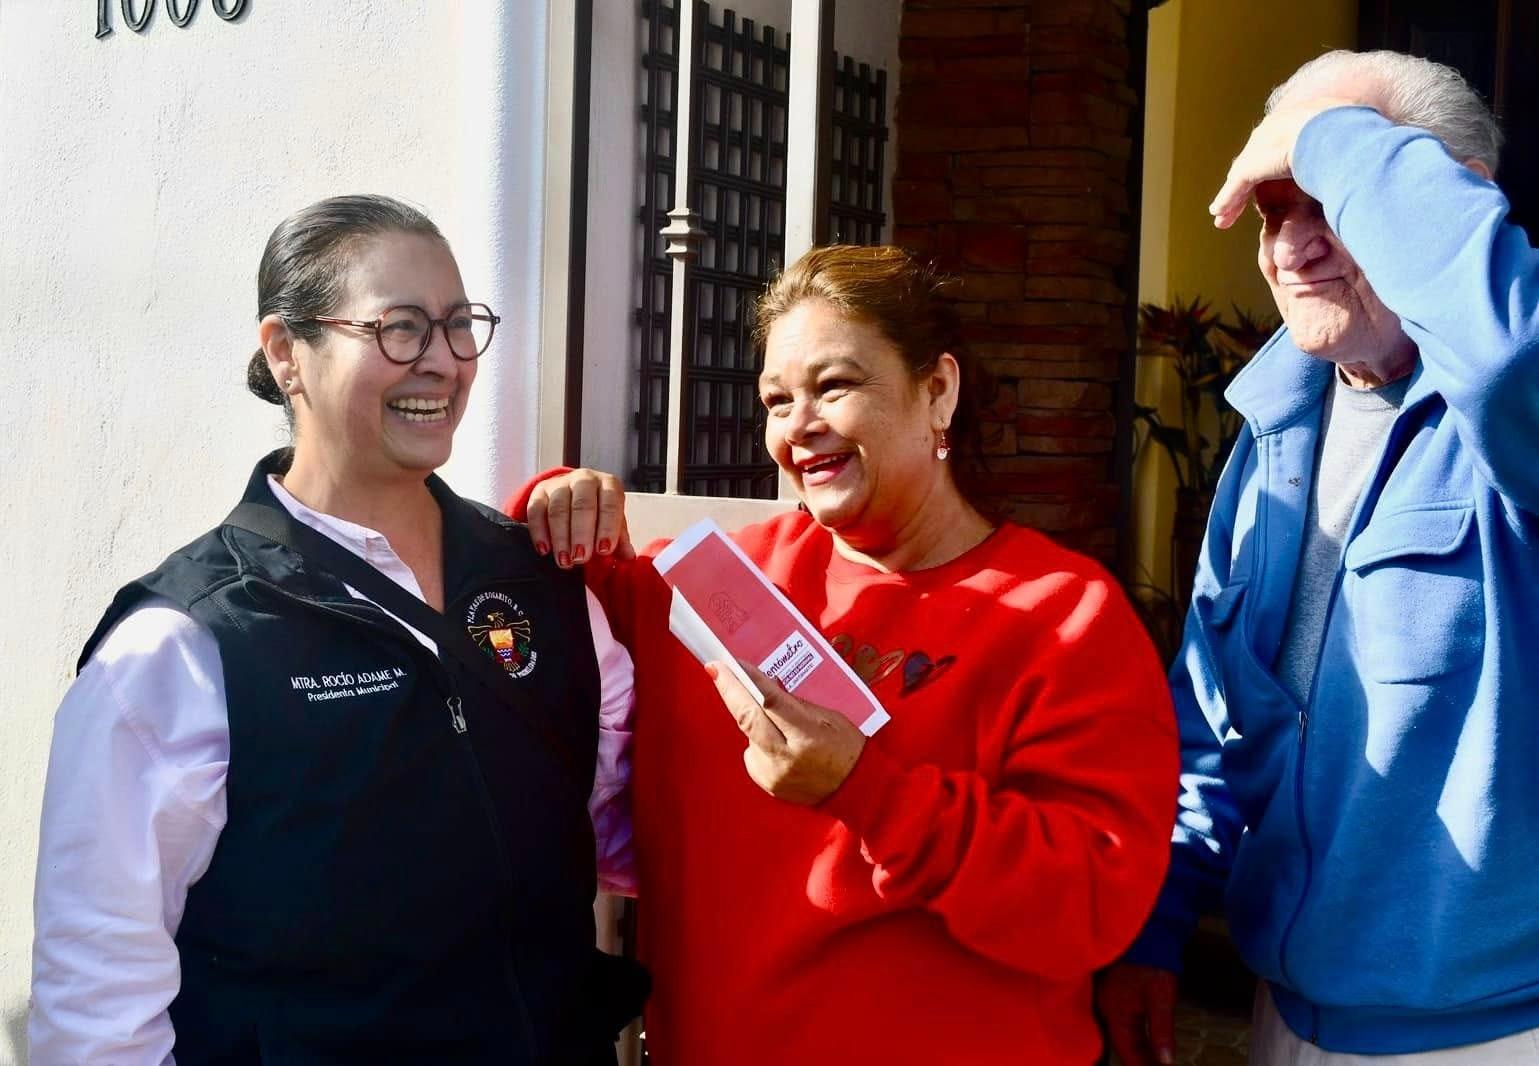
pixel 1415 93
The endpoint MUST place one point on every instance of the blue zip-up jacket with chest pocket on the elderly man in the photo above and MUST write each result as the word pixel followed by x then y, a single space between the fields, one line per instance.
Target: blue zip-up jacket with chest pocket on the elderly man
pixel 1378 850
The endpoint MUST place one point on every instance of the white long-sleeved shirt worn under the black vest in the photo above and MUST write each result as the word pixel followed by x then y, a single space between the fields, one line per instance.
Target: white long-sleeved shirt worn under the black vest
pixel 136 801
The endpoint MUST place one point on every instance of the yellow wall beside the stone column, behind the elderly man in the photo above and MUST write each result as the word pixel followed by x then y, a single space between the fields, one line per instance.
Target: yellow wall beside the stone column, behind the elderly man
pixel 1210 68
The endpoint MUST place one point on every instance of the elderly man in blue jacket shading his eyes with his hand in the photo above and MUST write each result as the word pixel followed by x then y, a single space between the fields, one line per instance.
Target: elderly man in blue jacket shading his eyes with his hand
pixel 1360 682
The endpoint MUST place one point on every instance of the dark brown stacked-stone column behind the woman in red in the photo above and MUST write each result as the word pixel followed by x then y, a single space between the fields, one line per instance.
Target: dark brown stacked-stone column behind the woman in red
pixel 1013 147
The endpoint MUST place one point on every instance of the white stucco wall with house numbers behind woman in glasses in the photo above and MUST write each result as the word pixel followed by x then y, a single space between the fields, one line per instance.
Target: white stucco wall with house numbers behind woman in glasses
pixel 141 176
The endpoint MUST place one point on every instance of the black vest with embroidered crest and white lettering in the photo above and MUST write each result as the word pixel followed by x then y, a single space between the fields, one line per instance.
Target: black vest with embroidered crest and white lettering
pixel 396 882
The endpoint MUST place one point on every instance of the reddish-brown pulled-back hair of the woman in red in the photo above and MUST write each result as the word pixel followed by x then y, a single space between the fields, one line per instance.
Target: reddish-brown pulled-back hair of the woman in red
pixel 906 299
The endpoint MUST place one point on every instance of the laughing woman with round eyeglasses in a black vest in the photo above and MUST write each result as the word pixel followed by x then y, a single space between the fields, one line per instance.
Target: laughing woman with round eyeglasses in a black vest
pixel 321 791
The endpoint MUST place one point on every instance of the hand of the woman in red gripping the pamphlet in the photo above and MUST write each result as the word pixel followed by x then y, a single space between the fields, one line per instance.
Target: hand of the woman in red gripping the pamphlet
pixel 798 751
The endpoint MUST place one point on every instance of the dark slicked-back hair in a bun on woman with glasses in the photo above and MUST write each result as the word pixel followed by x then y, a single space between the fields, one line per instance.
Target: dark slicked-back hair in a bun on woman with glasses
pixel 305 267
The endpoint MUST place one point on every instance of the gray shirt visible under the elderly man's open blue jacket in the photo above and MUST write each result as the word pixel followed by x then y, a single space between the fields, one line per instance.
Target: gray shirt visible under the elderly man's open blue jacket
pixel 1354 430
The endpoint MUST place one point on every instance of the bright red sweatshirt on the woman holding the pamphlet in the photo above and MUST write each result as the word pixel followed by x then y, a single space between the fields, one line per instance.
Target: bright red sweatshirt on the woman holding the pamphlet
pixel 1000 839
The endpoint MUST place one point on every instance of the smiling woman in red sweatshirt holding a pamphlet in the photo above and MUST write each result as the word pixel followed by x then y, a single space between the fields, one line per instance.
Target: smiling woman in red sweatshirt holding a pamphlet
pixel 943 891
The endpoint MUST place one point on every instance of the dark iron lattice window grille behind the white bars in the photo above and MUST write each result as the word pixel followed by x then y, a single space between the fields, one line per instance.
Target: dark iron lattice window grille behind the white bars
pixel 741 85
